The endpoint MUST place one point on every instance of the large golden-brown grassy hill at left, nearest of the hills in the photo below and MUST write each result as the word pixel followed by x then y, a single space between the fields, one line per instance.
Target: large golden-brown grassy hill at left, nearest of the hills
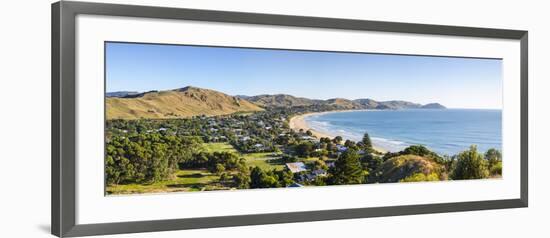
pixel 178 103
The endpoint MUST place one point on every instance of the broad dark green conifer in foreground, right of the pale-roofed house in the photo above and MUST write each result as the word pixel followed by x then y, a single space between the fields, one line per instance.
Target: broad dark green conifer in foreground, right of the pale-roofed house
pixel 347 169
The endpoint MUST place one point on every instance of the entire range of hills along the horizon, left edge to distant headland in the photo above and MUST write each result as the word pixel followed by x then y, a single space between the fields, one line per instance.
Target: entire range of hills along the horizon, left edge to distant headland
pixel 193 101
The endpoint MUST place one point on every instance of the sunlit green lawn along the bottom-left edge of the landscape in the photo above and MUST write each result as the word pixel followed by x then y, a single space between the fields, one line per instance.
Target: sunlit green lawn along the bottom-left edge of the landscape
pixel 184 180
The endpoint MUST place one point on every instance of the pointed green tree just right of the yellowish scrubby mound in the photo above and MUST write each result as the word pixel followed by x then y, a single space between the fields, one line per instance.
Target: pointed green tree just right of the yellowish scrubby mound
pixel 470 165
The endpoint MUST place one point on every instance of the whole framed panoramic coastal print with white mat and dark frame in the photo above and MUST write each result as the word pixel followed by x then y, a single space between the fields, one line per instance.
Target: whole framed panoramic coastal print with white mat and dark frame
pixel 168 119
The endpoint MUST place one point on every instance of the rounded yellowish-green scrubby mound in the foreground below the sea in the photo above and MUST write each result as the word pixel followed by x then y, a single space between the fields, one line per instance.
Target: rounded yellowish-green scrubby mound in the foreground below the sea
pixel 410 168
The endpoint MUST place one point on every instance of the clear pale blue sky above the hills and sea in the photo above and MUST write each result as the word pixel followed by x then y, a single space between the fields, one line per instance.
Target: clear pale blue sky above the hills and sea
pixel 453 82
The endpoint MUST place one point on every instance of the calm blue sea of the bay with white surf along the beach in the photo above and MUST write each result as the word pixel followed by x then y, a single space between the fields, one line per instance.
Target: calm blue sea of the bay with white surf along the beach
pixel 445 131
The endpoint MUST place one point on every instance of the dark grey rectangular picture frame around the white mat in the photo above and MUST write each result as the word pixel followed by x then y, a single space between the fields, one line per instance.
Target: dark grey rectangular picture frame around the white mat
pixel 63 117
